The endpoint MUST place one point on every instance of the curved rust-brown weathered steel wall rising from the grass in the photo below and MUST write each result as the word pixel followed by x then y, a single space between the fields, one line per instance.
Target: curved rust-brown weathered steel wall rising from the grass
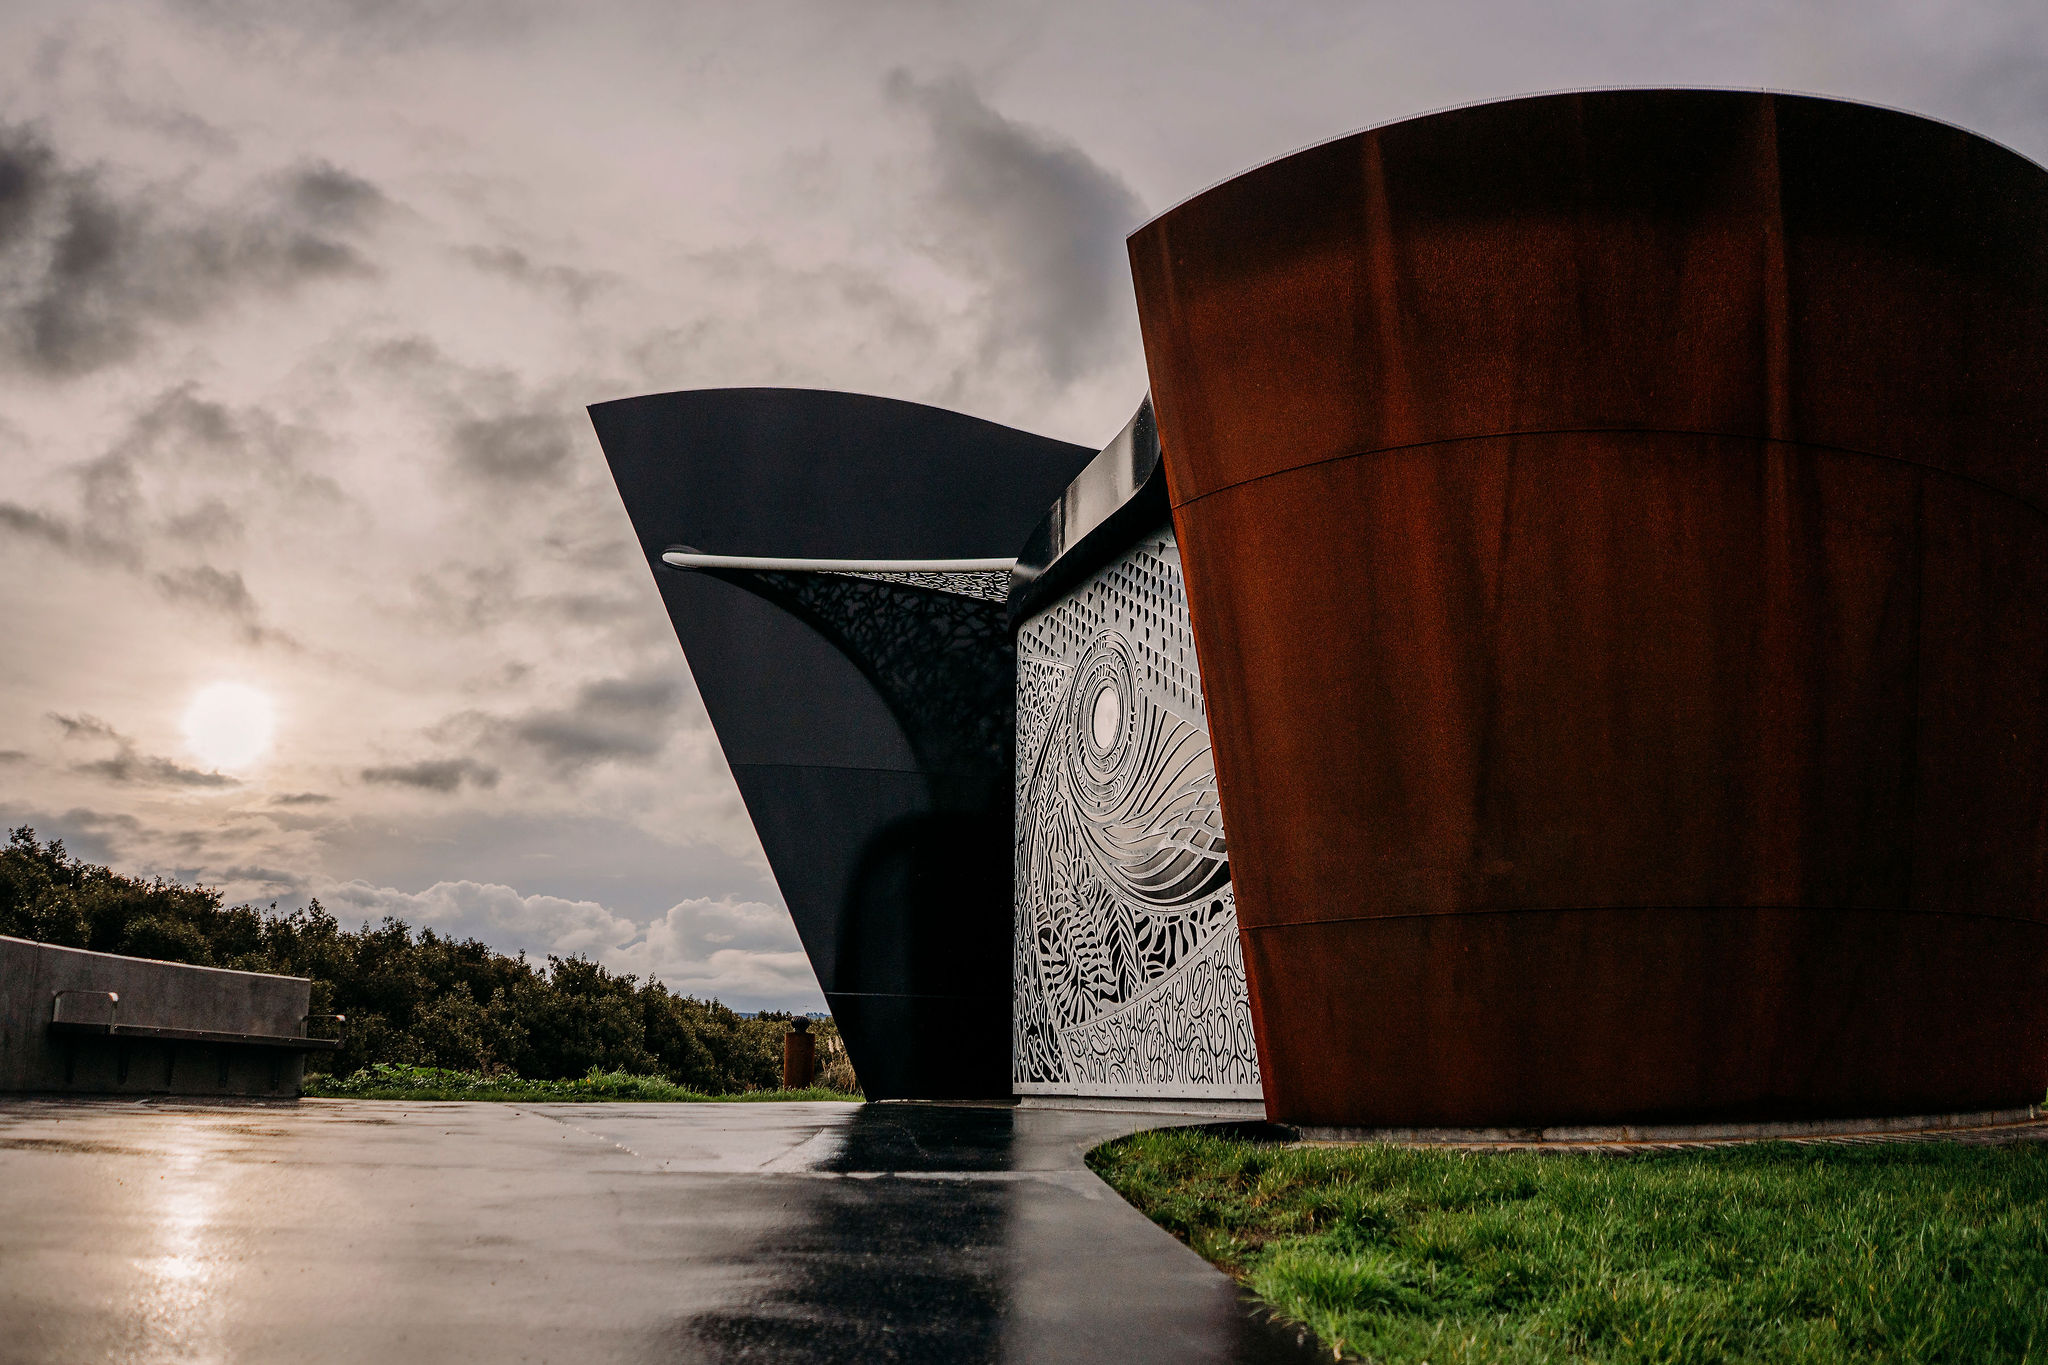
pixel 1615 535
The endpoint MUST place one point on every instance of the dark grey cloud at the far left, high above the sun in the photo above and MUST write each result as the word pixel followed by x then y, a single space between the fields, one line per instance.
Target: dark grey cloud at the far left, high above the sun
pixel 93 269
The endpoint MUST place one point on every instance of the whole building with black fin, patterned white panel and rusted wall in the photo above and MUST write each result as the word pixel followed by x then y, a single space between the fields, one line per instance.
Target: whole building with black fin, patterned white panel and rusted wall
pixel 1562 646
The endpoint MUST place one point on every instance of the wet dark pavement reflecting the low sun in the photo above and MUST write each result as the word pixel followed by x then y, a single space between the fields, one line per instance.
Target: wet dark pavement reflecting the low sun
pixel 374 1231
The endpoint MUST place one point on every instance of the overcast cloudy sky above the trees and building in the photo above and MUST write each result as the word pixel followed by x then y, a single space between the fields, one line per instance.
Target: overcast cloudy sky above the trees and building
pixel 298 320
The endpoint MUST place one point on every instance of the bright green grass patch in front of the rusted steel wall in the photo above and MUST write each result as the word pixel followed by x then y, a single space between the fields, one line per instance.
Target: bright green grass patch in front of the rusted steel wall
pixel 1760 1253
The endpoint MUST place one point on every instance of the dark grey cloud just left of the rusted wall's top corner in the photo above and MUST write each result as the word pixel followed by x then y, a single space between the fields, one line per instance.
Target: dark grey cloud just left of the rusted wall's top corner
pixel 1037 220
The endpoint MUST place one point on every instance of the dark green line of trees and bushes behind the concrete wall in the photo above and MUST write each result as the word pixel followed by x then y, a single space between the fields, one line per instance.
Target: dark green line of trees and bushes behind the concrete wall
pixel 411 996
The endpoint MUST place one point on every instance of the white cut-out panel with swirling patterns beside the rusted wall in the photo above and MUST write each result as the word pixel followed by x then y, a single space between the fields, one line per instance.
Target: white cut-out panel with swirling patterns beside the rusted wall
pixel 1129 975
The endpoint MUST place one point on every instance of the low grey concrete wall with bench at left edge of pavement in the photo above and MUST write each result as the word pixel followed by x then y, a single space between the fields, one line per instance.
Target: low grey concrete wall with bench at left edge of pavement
pixel 157 996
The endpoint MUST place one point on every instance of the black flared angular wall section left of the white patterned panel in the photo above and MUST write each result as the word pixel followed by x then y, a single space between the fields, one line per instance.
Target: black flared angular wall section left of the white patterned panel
pixel 863 705
